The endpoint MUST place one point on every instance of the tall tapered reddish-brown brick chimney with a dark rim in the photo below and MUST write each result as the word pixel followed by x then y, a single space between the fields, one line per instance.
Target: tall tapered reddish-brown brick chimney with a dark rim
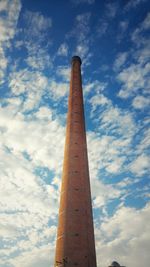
pixel 75 244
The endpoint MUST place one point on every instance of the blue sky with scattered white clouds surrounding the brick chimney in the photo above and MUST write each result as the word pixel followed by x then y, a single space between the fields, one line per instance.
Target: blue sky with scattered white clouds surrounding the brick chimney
pixel 37 40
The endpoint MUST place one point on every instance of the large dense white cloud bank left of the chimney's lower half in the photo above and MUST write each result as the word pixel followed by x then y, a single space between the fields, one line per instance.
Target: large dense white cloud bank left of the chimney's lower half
pixel 27 143
